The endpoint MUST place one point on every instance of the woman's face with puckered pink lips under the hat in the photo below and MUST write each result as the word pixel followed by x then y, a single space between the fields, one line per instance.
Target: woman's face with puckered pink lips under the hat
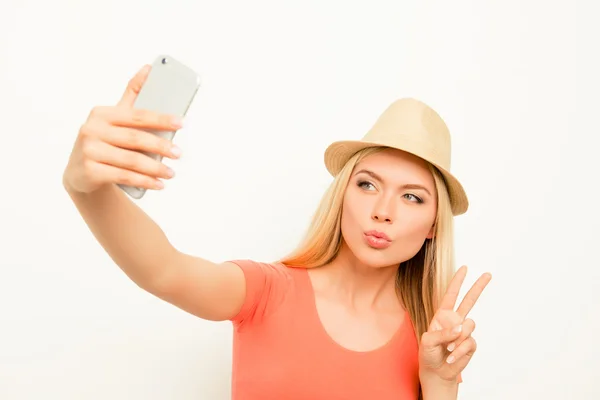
pixel 389 208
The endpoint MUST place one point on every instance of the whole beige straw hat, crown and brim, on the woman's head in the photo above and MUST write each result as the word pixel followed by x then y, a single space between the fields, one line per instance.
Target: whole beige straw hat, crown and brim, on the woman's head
pixel 412 126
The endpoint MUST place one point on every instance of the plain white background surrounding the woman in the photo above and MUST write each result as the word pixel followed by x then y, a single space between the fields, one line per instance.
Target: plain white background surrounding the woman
pixel 516 81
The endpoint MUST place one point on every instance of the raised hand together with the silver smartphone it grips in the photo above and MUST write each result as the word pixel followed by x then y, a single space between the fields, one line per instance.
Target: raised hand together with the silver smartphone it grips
pixel 125 144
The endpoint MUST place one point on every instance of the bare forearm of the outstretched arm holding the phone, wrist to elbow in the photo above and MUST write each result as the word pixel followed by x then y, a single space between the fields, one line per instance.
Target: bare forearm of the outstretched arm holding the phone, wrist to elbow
pixel 129 236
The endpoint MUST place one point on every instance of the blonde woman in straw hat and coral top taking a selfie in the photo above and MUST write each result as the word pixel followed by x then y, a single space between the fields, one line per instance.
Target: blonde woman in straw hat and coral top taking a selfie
pixel 363 309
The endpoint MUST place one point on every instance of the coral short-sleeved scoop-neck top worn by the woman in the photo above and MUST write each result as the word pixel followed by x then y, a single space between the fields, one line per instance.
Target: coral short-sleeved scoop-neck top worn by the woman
pixel 281 351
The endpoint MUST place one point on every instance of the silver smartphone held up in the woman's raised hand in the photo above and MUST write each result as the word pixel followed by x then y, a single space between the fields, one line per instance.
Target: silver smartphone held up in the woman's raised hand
pixel 170 88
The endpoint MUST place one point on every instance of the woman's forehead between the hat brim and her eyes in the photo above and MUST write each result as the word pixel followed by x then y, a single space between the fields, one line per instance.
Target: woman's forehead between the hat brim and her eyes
pixel 396 166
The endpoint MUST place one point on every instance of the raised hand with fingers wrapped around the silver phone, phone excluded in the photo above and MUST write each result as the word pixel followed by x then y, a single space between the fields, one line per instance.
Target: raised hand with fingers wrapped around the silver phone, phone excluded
pixel 107 148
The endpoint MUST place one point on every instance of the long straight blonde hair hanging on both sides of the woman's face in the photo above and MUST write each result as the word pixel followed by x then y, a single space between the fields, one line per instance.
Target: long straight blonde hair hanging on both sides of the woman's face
pixel 421 280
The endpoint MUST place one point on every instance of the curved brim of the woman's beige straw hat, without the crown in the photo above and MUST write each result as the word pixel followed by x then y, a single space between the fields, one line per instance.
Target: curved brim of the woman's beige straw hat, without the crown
pixel 338 154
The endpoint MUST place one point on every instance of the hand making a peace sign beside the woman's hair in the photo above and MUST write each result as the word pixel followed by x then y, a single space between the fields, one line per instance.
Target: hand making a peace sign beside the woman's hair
pixel 447 347
